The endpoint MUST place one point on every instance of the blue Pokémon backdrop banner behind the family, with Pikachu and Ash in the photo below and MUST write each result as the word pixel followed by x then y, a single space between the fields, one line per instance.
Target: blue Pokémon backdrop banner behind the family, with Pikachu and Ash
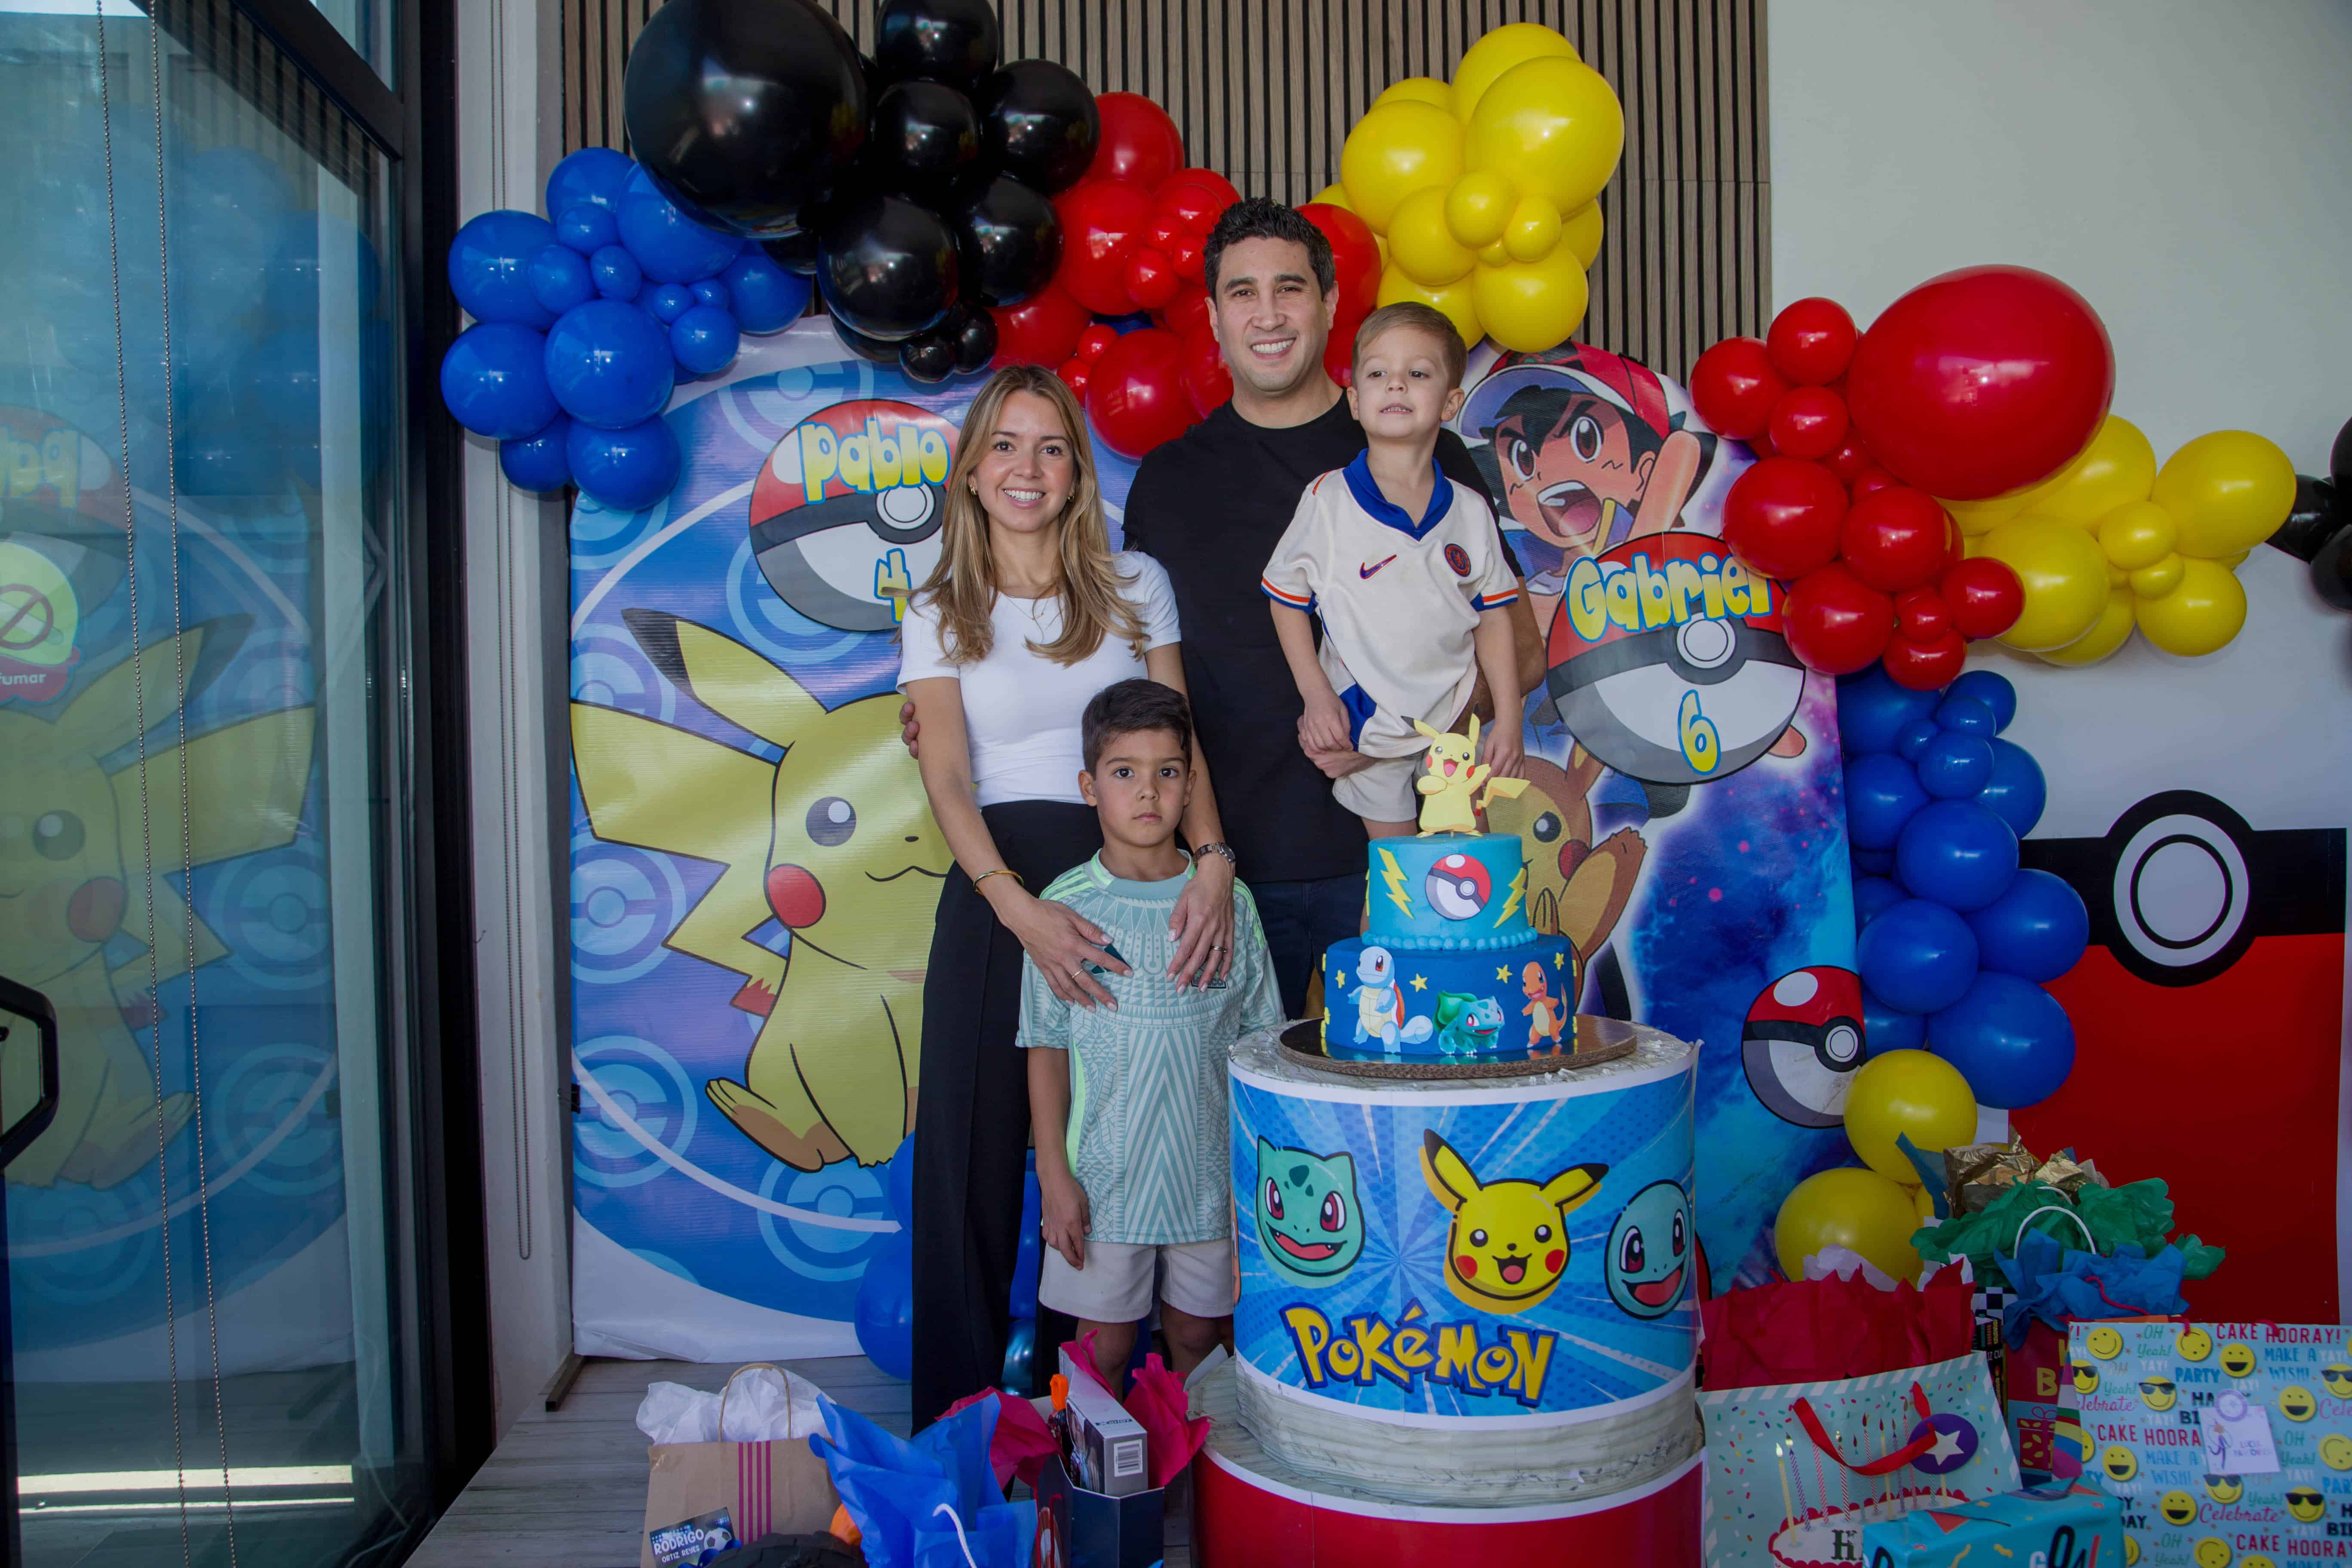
pixel 754 869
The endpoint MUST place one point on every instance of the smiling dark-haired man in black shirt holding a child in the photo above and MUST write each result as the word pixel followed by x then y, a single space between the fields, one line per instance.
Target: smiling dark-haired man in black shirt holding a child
pixel 1210 507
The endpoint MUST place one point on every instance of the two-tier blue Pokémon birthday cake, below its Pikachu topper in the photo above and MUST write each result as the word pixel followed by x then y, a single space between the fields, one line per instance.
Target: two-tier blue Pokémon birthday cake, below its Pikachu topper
pixel 1450 967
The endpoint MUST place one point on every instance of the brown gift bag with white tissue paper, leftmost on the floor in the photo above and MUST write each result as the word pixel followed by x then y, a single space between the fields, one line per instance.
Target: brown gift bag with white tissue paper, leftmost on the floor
pixel 707 1499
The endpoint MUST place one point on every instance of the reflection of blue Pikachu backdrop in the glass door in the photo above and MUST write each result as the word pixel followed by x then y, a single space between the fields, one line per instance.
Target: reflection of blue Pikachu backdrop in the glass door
pixel 246 930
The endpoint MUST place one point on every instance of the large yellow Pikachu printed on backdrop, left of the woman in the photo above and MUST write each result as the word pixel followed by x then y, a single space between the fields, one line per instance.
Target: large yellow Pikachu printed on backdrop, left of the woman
pixel 836 845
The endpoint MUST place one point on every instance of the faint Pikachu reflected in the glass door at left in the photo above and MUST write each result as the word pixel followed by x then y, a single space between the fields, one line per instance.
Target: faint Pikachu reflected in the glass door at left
pixel 74 852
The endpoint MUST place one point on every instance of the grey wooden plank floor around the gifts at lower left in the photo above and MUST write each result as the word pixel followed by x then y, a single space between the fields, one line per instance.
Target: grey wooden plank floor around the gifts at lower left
pixel 568 1487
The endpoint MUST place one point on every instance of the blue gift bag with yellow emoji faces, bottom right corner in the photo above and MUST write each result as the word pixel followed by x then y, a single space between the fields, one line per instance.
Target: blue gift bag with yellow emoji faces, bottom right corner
pixel 2229 1445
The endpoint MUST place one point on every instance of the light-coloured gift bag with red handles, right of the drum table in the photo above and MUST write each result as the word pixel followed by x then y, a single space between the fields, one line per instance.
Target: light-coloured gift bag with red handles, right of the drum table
pixel 1800 1468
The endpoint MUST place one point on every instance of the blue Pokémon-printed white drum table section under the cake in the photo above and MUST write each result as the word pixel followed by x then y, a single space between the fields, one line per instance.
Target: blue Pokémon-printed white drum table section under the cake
pixel 1469 1292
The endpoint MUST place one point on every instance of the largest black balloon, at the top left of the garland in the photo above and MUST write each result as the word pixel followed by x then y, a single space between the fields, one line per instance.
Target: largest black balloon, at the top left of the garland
pixel 742 112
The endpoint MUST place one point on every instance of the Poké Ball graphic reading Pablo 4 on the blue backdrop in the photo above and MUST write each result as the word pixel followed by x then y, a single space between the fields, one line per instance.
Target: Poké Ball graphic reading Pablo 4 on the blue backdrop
pixel 848 509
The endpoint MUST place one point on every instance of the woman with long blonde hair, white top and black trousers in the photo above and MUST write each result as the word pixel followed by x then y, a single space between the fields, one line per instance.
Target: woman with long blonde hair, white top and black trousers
pixel 1027 617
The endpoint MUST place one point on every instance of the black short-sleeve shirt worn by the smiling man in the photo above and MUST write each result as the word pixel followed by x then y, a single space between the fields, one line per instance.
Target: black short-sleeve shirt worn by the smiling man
pixel 1212 507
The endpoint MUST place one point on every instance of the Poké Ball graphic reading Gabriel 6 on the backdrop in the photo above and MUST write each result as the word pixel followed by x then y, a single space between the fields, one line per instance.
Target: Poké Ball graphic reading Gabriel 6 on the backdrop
pixel 1669 664
